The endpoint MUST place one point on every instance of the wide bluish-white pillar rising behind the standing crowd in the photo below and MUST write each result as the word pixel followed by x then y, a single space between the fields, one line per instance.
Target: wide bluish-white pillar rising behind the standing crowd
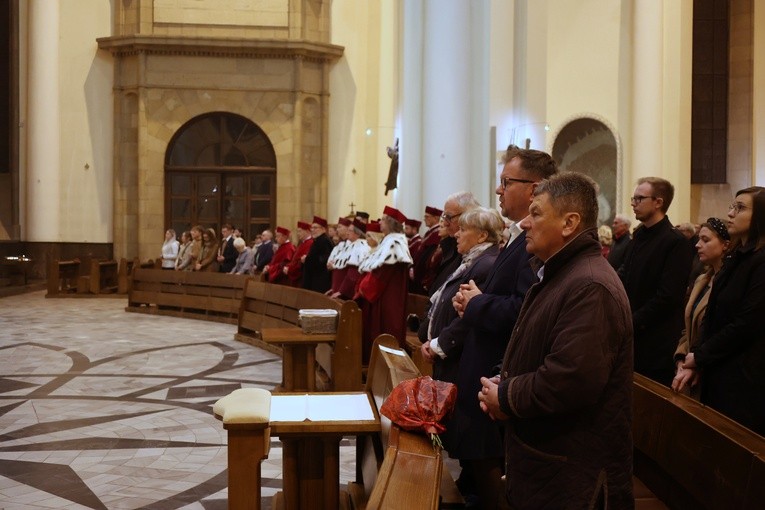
pixel 444 121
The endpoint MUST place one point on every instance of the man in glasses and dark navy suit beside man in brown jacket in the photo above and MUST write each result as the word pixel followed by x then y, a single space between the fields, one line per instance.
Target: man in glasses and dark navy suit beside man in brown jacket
pixel 488 316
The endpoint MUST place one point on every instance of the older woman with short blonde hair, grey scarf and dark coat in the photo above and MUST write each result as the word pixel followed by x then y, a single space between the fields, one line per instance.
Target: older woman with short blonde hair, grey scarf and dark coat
pixel 462 359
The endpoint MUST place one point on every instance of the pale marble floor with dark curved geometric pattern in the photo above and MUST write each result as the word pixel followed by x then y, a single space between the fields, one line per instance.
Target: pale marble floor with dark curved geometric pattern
pixel 104 409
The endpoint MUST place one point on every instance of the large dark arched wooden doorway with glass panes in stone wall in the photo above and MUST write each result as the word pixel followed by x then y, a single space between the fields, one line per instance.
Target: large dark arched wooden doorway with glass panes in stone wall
pixel 220 168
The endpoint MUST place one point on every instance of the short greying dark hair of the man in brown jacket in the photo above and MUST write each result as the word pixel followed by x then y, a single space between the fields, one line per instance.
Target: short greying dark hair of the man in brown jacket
pixel 572 192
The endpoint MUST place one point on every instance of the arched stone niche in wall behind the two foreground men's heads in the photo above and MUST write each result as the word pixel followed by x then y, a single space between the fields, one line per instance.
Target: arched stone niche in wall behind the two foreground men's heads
pixel 587 145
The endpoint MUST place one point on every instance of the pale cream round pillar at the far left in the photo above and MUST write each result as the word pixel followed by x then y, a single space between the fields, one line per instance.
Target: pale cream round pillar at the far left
pixel 43 124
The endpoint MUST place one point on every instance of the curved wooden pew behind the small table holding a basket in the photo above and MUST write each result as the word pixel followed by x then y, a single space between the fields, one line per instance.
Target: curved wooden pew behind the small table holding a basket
pixel 267 305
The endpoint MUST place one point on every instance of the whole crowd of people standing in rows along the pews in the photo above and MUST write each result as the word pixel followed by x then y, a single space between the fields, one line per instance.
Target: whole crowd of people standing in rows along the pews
pixel 540 322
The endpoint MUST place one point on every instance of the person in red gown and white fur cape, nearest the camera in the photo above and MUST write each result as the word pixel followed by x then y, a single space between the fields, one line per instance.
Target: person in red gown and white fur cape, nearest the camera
pixel 382 289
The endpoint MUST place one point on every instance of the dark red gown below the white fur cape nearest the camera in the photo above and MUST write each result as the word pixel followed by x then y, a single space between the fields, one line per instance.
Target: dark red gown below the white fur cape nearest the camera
pixel 383 304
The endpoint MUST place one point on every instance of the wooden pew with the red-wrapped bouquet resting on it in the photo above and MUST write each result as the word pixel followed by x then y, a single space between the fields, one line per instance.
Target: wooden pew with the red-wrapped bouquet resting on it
pixel 397 468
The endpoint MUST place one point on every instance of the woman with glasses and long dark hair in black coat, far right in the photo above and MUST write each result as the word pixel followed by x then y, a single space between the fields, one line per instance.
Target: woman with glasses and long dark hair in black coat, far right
pixel 731 352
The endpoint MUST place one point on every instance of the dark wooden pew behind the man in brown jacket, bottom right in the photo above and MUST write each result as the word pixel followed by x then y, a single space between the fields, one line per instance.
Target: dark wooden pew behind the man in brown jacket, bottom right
pixel 691 456
